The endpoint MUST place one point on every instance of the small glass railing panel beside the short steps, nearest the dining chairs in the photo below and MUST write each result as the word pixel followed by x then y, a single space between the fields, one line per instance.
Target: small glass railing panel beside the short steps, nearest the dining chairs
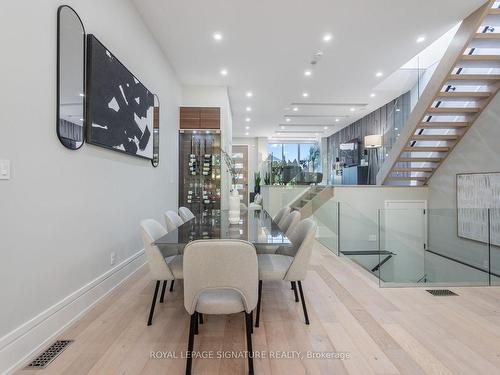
pixel 325 213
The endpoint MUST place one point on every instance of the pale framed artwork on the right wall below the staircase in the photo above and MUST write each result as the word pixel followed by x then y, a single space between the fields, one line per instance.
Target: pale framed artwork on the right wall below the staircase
pixel 476 193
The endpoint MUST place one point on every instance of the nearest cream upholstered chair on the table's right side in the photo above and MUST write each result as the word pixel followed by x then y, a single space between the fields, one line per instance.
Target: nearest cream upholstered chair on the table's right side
pixel 275 267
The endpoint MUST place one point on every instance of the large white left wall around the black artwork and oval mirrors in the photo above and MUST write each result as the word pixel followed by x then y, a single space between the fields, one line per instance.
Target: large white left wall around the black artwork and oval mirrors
pixel 63 212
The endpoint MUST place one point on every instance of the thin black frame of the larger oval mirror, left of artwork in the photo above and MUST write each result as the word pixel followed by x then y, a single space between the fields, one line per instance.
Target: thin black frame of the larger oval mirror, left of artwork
pixel 58 78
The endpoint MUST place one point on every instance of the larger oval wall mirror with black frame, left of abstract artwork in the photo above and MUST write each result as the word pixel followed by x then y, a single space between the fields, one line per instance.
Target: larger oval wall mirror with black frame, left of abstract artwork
pixel 70 78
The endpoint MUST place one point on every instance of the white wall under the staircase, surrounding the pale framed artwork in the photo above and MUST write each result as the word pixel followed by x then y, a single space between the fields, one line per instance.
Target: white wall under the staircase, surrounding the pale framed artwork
pixel 478 151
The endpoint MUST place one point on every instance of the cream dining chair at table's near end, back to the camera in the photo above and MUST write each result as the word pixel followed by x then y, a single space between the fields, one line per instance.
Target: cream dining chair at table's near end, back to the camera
pixel 212 286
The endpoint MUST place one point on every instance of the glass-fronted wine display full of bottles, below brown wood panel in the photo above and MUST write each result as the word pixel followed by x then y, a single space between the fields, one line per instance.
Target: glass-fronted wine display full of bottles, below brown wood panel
pixel 199 170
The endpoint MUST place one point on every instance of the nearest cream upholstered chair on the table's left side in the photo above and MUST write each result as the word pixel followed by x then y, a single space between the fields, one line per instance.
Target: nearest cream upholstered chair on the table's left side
pixel 162 269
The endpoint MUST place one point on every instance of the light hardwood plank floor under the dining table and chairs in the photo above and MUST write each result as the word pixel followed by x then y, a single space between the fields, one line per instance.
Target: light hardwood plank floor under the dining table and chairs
pixel 383 331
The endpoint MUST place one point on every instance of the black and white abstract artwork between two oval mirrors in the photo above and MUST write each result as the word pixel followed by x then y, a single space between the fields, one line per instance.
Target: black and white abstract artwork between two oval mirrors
pixel 119 107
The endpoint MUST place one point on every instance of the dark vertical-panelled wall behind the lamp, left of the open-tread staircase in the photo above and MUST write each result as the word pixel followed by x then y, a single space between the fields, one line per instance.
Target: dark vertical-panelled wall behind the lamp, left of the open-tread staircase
pixel 388 120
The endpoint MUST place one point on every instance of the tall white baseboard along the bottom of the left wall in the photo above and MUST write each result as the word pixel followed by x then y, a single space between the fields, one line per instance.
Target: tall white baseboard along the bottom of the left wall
pixel 19 345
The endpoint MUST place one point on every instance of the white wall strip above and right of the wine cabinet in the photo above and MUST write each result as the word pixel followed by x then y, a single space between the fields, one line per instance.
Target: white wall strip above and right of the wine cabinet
pixel 215 96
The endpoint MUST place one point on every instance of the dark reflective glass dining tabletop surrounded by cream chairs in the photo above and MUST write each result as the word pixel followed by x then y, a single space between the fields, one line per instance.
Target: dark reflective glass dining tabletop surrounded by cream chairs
pixel 255 226
